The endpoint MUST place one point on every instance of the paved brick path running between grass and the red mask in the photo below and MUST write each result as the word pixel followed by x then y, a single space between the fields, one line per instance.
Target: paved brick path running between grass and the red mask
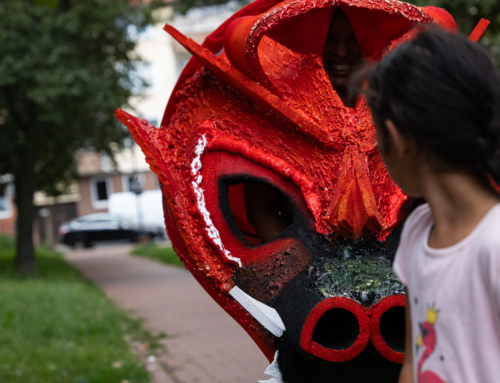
pixel 204 344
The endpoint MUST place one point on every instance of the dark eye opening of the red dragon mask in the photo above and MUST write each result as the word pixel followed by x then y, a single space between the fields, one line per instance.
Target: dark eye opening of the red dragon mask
pixel 260 212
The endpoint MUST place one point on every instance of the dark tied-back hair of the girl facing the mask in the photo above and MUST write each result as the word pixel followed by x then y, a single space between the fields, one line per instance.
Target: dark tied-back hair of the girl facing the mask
pixel 443 91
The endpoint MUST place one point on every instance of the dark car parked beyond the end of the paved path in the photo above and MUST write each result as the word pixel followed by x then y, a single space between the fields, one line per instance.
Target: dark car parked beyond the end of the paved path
pixel 84 231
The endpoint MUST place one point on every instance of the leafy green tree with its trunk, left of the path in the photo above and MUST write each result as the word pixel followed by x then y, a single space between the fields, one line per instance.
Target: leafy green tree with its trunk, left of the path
pixel 64 68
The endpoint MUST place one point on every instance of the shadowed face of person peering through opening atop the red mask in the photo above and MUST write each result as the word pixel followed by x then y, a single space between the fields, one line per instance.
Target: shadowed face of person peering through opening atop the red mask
pixel 342 55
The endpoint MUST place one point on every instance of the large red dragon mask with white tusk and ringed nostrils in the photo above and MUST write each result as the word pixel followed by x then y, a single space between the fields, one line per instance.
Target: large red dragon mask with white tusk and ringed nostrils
pixel 255 107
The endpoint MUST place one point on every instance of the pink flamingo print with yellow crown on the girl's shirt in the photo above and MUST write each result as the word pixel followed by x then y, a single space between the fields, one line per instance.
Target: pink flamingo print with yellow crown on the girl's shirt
pixel 427 338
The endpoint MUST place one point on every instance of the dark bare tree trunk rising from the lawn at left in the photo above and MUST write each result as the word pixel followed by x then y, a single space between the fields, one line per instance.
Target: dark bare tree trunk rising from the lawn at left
pixel 25 188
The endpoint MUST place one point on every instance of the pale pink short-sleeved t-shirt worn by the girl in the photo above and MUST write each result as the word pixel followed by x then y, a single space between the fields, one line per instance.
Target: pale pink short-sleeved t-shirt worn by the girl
pixel 454 296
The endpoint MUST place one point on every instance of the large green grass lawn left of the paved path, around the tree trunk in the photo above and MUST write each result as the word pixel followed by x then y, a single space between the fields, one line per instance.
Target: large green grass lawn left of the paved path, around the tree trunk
pixel 57 328
